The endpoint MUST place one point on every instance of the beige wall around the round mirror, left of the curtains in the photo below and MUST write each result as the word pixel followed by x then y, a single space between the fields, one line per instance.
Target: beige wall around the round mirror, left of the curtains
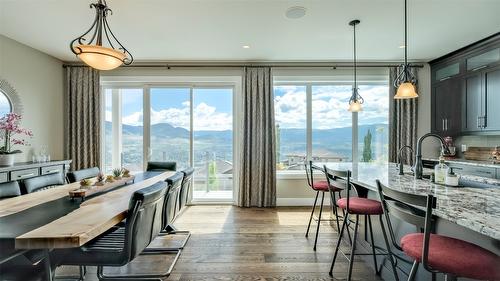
pixel 38 80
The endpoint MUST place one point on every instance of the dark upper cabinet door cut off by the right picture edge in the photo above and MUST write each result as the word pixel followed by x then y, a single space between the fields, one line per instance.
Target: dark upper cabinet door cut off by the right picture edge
pixel 492 99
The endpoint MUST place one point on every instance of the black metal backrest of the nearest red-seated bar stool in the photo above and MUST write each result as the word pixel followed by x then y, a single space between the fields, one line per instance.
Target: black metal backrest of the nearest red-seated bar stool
pixel 404 205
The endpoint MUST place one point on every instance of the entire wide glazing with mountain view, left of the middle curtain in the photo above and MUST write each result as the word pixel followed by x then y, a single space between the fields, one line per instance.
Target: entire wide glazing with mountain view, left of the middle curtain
pixel 192 126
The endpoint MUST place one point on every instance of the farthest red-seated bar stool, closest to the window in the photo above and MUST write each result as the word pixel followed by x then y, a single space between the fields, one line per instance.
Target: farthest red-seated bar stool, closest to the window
pixel 320 186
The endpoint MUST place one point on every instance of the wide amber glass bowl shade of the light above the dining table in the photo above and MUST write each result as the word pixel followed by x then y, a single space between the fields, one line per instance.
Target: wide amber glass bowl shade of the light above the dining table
pixel 100 57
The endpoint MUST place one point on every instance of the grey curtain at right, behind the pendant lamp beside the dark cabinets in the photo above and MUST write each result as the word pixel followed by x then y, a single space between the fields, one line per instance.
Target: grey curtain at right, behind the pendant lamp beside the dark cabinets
pixel 403 121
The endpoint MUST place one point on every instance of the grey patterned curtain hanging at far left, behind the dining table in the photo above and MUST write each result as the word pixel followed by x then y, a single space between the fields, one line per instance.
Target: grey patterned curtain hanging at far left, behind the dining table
pixel 82 117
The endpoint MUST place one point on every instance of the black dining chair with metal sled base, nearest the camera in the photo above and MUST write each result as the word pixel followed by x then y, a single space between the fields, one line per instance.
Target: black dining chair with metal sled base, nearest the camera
pixel 122 244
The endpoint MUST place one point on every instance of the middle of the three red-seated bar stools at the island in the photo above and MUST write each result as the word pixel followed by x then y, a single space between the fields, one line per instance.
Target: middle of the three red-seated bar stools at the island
pixel 356 206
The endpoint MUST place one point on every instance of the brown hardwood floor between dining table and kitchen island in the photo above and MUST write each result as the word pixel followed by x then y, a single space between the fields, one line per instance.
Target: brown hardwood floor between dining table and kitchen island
pixel 230 243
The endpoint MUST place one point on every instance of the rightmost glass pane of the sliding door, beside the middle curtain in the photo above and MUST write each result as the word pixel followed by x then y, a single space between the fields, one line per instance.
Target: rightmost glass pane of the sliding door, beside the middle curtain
pixel 213 143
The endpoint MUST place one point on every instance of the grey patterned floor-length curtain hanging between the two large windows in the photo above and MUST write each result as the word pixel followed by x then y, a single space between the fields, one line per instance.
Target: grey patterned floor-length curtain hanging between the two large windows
pixel 257 173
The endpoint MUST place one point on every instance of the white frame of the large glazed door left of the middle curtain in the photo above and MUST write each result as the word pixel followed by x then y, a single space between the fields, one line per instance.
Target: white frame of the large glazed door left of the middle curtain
pixel 192 82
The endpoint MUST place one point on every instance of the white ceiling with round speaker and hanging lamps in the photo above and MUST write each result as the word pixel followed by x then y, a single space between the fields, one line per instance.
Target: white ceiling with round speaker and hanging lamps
pixel 217 29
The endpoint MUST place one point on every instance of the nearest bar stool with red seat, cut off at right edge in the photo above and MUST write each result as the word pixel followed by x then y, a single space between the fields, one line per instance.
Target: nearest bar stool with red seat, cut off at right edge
pixel 437 253
